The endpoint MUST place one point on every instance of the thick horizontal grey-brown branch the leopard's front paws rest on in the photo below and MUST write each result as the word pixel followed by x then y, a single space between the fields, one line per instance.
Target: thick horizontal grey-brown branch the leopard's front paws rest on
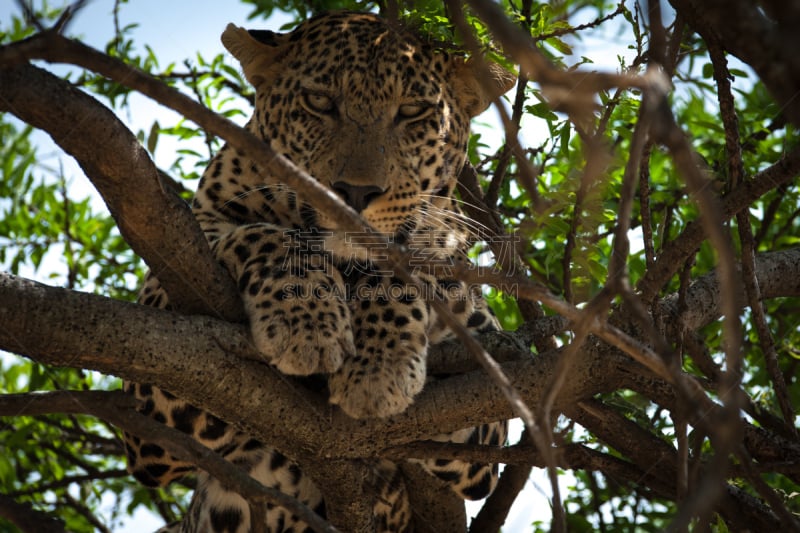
pixel 158 346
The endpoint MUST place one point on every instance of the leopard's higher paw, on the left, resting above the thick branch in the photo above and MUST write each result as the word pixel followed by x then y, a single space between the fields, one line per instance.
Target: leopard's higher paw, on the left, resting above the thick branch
pixel 304 339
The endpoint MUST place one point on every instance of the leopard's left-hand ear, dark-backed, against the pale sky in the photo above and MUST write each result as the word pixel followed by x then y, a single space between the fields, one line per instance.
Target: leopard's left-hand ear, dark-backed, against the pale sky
pixel 258 51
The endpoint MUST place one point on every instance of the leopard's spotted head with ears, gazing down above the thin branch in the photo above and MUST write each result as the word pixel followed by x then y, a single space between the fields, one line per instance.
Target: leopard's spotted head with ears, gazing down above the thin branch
pixel 371 111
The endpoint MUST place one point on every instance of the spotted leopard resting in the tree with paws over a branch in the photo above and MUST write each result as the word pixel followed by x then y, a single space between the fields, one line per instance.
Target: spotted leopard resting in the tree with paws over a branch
pixel 380 117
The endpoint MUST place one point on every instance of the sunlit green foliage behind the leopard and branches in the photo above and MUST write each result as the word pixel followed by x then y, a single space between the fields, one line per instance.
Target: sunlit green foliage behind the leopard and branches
pixel 53 228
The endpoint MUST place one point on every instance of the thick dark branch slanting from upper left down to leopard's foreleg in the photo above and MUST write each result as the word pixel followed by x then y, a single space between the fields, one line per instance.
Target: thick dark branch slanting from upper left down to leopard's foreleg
pixel 149 216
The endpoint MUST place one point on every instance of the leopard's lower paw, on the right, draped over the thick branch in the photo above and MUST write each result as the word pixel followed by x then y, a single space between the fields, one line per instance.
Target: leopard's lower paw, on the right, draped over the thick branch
pixel 366 387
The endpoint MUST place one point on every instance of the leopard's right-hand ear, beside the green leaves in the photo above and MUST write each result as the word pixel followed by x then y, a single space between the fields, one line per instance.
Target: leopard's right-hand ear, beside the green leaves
pixel 475 94
